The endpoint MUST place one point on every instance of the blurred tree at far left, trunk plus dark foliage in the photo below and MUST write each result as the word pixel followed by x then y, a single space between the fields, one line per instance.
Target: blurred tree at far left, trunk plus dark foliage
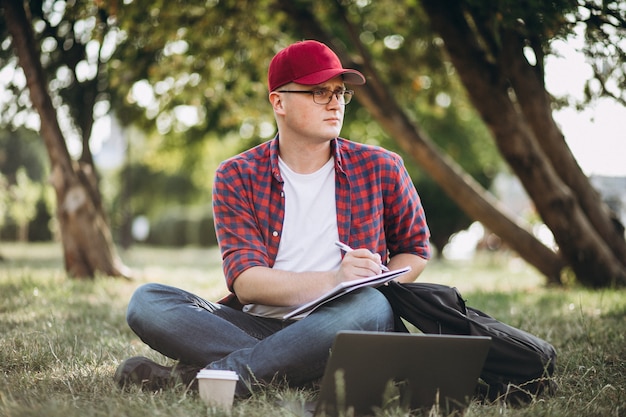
pixel 37 36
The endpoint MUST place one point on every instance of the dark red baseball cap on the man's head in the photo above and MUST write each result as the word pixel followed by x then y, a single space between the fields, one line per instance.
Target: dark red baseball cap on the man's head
pixel 309 63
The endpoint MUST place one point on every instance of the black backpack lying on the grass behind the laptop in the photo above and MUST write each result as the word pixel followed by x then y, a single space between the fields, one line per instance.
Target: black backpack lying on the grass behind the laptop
pixel 519 365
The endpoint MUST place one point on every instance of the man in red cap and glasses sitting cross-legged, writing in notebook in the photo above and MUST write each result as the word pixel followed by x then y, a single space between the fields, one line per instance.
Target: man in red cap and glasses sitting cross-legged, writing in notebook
pixel 279 208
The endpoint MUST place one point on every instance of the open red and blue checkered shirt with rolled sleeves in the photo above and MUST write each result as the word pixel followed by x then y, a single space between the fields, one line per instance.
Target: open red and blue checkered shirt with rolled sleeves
pixel 377 205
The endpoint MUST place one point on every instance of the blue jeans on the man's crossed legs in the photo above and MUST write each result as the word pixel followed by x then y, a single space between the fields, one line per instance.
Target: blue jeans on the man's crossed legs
pixel 195 331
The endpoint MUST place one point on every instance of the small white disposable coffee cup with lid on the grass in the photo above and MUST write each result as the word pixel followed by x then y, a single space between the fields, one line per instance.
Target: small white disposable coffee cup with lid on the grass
pixel 217 387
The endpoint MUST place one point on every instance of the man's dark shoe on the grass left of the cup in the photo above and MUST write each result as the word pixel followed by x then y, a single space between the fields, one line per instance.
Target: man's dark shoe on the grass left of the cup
pixel 148 374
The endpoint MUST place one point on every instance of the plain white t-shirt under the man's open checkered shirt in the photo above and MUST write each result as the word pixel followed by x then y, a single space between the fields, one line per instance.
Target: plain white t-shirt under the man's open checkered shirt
pixel 309 228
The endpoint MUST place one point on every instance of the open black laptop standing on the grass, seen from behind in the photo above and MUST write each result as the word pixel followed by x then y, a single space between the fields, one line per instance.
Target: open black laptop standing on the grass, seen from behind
pixel 367 371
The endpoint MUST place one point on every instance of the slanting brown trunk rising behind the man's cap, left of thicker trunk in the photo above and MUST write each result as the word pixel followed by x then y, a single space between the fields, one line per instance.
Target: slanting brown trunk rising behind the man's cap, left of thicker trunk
pixel 461 187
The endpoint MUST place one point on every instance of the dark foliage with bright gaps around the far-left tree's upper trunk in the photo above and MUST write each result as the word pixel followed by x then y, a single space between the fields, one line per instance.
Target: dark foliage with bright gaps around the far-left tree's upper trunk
pixel 71 37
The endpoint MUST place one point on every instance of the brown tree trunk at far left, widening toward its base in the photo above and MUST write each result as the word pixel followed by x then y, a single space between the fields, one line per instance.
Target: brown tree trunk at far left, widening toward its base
pixel 86 238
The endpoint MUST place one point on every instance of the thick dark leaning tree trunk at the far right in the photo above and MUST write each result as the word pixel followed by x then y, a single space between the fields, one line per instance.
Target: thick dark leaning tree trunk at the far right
pixel 590 257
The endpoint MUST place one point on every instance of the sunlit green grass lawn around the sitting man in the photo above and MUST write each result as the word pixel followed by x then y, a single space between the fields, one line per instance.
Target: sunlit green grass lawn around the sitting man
pixel 62 339
